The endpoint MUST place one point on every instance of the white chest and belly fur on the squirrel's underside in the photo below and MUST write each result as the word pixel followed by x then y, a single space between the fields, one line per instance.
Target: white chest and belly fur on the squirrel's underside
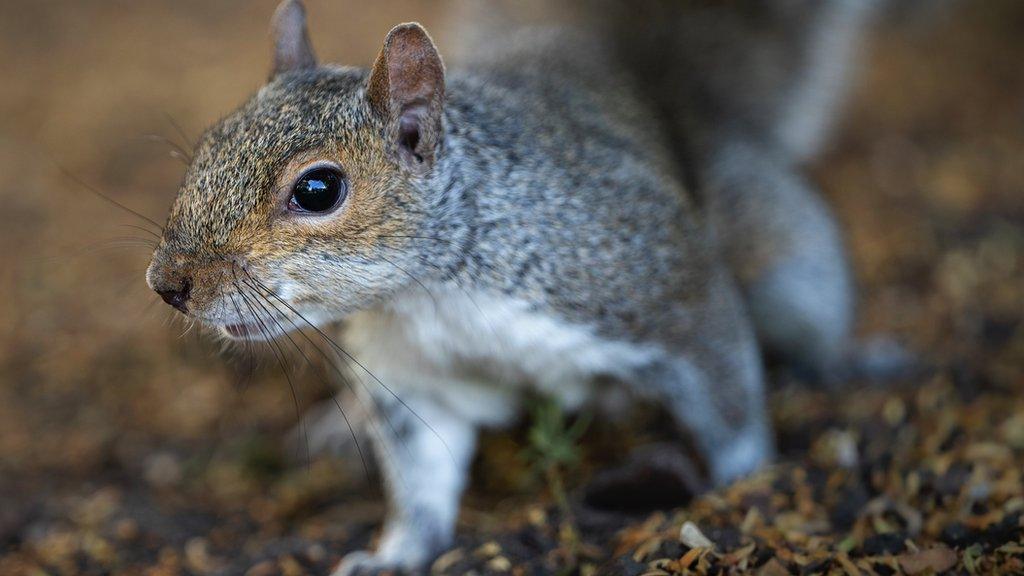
pixel 478 353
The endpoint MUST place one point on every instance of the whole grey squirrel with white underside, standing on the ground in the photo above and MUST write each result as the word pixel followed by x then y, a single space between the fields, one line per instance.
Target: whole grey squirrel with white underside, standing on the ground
pixel 579 215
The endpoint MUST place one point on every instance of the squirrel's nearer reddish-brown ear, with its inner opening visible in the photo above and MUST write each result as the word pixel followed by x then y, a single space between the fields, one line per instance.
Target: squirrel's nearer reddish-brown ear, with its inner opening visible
pixel 407 89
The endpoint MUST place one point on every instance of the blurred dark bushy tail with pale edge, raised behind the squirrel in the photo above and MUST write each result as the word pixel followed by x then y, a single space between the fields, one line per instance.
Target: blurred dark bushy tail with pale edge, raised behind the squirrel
pixel 775 70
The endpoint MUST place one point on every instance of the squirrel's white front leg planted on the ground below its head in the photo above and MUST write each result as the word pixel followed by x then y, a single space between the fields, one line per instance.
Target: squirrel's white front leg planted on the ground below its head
pixel 424 452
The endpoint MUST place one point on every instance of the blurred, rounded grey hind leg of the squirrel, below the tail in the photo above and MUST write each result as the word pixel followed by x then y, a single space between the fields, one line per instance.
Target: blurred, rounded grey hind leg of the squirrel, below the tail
pixel 786 249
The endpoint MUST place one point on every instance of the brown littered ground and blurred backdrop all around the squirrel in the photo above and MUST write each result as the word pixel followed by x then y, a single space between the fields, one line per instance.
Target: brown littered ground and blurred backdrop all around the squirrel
pixel 132 446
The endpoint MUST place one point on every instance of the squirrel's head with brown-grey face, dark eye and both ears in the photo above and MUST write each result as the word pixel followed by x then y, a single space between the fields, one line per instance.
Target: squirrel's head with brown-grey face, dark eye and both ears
pixel 309 202
